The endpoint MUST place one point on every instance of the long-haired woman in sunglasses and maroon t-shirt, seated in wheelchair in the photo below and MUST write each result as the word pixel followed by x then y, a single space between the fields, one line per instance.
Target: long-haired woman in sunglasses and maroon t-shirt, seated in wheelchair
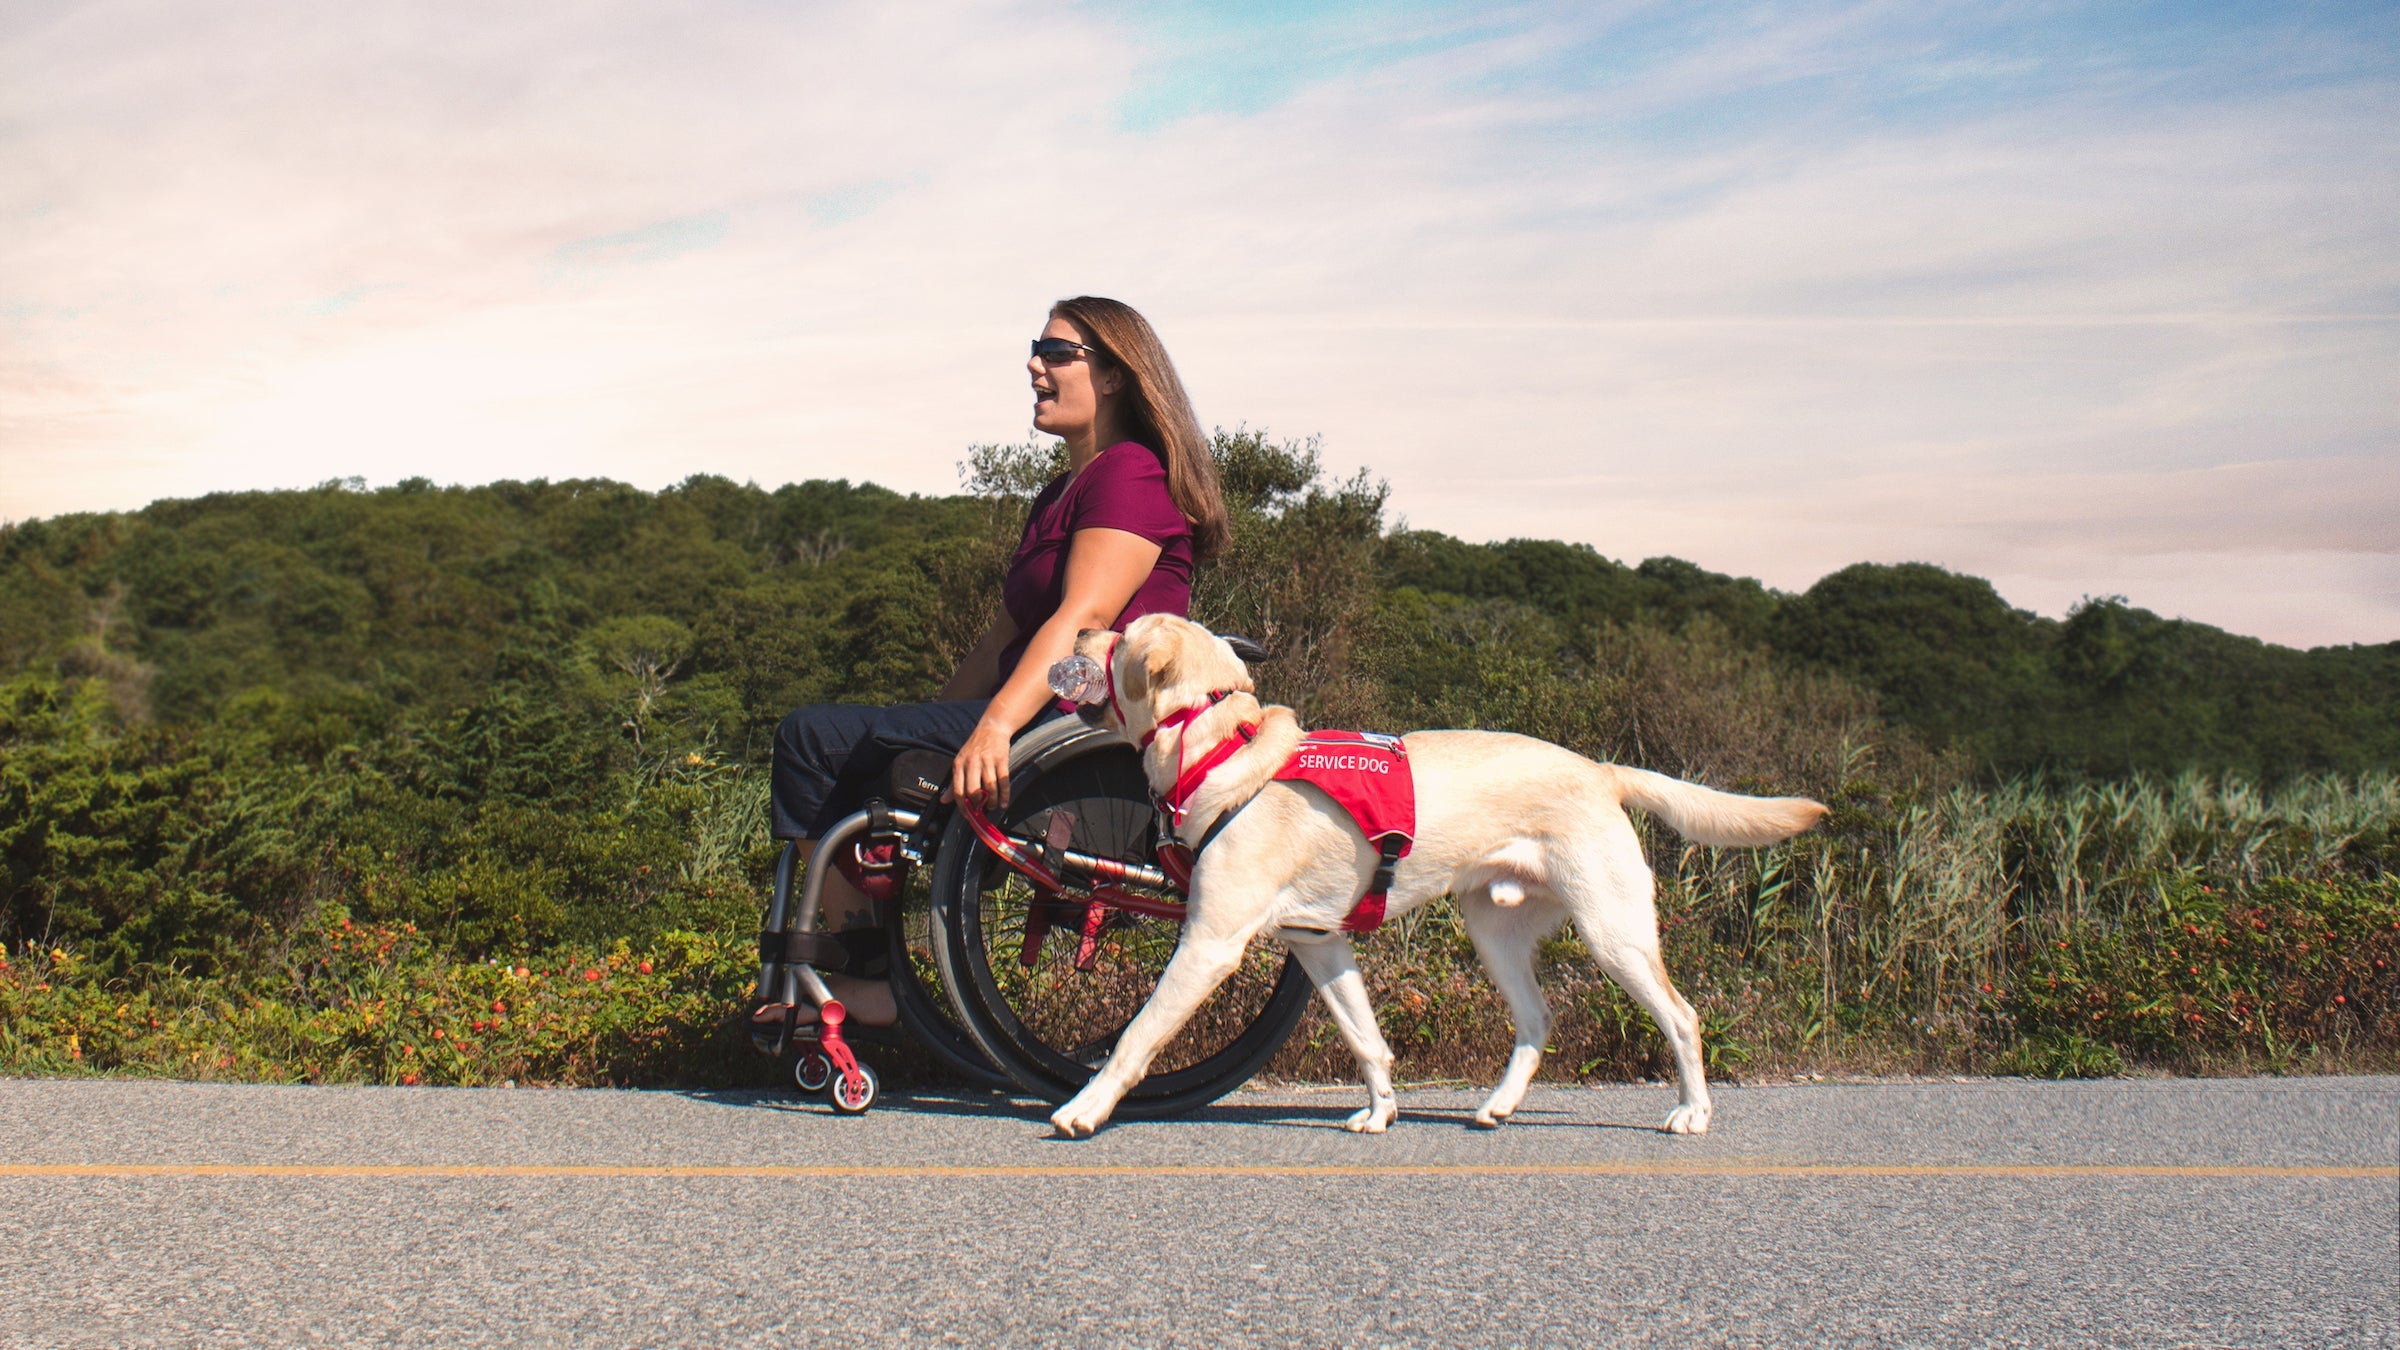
pixel 1105 544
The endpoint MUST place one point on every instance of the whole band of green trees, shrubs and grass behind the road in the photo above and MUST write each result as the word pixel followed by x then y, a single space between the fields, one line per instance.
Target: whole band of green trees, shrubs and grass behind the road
pixel 524 729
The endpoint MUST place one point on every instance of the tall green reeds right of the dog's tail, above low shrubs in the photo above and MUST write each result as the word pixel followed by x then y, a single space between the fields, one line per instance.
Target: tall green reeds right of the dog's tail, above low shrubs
pixel 1921 902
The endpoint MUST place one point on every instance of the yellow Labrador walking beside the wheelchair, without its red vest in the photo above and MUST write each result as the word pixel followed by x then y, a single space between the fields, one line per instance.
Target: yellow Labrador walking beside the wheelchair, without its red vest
pixel 1520 832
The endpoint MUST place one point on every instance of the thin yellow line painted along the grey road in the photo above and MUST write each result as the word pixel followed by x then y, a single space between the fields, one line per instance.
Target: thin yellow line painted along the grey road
pixel 772 1173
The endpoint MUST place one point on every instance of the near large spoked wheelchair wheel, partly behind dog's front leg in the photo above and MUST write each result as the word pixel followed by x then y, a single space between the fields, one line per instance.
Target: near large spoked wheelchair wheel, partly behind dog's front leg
pixel 1028 1005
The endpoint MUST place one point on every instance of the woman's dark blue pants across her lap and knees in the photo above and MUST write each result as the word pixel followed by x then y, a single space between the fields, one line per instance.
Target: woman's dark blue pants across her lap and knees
pixel 832 758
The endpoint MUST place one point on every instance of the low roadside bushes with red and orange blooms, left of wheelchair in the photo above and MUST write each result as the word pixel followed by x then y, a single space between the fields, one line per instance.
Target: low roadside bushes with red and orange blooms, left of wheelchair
pixel 352 1003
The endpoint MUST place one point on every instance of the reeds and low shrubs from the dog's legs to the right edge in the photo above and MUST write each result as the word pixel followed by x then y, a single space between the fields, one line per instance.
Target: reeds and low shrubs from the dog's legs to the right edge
pixel 2034 926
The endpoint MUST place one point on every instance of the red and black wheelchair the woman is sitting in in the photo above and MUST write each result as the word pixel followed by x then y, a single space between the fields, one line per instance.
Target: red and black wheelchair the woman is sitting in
pixel 1024 940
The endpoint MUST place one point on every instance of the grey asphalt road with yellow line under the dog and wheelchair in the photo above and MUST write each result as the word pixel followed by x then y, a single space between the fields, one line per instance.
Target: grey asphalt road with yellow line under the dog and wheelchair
pixel 2252 1212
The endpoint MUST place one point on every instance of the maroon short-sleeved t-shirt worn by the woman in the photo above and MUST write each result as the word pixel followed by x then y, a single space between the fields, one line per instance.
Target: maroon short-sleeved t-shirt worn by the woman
pixel 1124 489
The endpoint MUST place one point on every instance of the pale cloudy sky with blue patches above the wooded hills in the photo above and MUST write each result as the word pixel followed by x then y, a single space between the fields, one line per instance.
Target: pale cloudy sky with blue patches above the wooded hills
pixel 2082 299
